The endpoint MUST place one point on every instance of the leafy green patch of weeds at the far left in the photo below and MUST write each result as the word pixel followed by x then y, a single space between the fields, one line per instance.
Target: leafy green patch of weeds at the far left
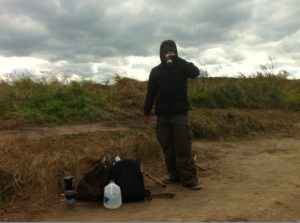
pixel 50 102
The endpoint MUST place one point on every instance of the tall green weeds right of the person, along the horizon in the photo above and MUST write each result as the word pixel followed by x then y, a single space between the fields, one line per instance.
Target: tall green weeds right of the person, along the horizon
pixel 254 92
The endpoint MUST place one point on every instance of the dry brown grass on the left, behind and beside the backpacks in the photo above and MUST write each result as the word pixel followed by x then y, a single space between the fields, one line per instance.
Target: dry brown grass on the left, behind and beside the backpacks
pixel 40 165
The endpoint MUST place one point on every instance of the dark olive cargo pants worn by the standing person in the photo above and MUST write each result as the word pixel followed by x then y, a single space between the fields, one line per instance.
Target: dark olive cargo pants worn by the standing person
pixel 175 137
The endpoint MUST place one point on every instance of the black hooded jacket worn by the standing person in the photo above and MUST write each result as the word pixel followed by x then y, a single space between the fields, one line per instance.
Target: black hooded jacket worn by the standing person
pixel 167 85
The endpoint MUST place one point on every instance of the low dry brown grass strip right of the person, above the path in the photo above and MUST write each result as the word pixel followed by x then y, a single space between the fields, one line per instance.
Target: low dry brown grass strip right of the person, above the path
pixel 241 123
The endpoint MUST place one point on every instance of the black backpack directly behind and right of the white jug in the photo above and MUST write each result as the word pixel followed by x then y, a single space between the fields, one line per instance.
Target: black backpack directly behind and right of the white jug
pixel 128 176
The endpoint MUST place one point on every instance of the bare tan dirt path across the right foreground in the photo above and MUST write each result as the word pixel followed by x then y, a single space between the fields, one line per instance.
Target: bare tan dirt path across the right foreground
pixel 253 180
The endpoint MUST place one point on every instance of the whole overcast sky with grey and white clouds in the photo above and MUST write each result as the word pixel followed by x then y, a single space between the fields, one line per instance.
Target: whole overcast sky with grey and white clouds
pixel 96 39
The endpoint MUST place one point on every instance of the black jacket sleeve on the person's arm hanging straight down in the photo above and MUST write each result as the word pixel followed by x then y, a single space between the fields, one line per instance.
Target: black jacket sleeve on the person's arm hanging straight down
pixel 151 92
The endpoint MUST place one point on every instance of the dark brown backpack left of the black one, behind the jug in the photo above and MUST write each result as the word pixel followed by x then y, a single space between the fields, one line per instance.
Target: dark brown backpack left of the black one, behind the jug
pixel 91 186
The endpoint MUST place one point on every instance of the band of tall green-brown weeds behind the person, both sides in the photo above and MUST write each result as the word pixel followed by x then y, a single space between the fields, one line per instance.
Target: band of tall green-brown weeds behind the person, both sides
pixel 57 103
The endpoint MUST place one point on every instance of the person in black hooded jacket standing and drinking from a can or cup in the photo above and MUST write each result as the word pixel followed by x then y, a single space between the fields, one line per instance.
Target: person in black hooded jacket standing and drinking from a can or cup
pixel 167 88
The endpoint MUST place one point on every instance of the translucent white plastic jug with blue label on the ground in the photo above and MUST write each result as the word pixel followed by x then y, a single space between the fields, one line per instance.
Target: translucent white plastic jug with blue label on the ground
pixel 112 196
